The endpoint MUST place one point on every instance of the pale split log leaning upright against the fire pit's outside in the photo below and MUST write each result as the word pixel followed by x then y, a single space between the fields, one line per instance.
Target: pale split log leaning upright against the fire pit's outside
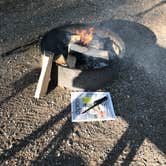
pixel 44 78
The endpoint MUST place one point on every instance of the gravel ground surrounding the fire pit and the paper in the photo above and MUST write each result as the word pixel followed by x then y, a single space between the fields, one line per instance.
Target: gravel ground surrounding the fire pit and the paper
pixel 40 132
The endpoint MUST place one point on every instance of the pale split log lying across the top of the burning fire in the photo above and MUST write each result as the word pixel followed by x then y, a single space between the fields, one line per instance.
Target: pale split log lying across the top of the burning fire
pixel 89 51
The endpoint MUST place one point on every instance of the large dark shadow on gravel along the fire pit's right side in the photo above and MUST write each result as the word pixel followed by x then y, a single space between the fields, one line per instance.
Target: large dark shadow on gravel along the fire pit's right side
pixel 141 90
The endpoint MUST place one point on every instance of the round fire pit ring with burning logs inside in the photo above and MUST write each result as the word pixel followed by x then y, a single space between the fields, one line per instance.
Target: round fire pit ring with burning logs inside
pixel 86 56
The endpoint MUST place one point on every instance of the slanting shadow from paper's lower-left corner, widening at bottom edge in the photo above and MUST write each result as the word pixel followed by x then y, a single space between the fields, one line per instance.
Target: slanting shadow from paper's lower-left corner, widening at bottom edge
pixel 47 156
